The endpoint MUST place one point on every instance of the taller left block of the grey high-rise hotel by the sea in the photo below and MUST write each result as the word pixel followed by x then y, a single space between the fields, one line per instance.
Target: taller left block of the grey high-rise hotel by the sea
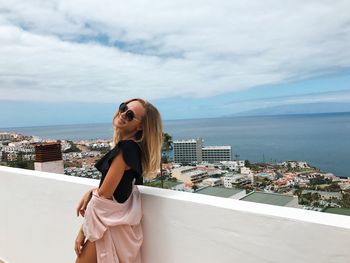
pixel 188 151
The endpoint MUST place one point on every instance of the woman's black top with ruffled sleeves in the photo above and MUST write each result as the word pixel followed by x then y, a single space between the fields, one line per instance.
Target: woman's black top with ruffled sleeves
pixel 132 157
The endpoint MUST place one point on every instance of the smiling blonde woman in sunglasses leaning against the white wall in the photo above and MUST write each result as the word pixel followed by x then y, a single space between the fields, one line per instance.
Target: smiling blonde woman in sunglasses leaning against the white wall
pixel 112 218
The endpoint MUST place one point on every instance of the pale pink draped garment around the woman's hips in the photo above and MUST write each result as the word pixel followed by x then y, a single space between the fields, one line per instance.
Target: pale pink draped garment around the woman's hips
pixel 115 228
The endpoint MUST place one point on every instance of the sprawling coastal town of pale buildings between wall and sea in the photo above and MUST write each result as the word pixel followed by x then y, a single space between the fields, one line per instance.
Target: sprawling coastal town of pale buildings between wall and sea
pixel 190 166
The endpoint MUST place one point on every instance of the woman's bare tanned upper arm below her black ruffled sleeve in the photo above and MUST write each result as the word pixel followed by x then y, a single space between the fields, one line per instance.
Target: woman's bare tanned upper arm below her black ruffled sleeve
pixel 113 177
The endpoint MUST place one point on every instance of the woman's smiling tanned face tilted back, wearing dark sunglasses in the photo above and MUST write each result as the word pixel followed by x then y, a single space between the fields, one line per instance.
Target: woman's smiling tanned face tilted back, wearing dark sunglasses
pixel 121 121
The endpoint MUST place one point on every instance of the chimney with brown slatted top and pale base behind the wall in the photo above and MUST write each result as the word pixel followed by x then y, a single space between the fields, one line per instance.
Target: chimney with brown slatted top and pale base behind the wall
pixel 48 158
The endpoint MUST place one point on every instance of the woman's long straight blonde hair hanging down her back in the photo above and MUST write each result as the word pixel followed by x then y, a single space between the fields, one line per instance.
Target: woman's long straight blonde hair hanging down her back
pixel 150 139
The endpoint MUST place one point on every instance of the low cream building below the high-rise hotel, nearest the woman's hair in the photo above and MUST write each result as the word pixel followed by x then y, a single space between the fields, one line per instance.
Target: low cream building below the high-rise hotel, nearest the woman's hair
pixel 189 174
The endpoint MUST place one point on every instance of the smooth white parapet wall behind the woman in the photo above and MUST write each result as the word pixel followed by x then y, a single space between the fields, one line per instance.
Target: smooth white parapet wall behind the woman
pixel 38 224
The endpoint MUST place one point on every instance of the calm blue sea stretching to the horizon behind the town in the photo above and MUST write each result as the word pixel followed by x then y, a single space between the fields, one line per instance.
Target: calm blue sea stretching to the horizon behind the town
pixel 322 140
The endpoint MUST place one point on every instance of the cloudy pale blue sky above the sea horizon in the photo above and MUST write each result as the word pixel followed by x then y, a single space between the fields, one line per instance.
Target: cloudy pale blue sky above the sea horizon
pixel 74 61
